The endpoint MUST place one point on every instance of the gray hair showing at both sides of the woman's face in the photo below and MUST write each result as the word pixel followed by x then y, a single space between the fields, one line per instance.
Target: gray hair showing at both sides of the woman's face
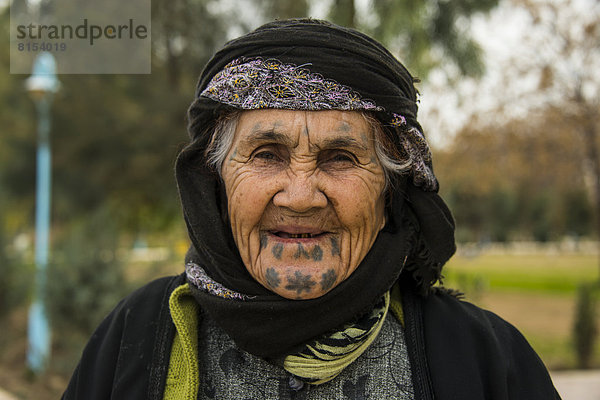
pixel 392 161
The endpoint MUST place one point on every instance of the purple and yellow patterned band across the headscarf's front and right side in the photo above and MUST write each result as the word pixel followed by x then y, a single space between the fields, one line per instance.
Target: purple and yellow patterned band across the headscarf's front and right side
pixel 251 84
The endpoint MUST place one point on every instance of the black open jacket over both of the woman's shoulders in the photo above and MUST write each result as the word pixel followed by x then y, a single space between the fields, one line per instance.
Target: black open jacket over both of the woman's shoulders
pixel 457 351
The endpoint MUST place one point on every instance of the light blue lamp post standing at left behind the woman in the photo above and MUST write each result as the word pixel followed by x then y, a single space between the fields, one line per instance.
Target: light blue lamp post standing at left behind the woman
pixel 42 84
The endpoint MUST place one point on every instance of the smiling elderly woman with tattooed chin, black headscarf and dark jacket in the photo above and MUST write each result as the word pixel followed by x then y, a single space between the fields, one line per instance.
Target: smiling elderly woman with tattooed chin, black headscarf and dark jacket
pixel 317 236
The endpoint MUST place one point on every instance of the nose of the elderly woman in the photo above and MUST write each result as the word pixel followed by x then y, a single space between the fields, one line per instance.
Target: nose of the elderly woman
pixel 300 193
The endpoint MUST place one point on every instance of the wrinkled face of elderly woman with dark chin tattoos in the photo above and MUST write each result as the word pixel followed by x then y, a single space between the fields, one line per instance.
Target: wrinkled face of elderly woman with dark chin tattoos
pixel 305 197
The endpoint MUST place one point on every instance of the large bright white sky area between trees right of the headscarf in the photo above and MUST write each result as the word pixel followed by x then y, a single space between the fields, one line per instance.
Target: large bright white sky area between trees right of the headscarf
pixel 511 48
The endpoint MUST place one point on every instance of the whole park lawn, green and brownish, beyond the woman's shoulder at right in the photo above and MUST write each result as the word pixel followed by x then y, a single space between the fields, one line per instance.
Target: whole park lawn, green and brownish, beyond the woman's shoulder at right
pixel 536 293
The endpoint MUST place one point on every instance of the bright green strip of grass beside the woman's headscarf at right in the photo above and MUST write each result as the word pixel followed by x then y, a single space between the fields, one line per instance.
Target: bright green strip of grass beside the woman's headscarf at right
pixel 557 273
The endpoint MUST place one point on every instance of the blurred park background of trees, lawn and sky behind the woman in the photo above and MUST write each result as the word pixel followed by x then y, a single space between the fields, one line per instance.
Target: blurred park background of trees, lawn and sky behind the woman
pixel 509 100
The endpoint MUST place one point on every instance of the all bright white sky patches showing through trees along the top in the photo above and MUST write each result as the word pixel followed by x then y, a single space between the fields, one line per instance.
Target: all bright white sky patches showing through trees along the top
pixel 447 103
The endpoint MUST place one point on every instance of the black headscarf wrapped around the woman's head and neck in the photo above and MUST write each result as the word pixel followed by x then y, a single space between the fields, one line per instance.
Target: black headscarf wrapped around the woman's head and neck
pixel 417 239
